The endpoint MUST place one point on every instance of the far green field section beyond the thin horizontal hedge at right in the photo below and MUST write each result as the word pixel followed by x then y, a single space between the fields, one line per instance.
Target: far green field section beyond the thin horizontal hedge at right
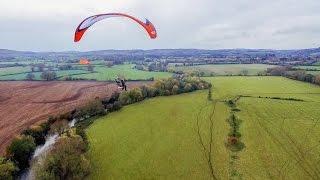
pixel 228 87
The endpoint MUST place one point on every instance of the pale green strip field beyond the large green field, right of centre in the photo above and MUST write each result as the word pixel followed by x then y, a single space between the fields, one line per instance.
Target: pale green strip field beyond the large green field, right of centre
pixel 226 69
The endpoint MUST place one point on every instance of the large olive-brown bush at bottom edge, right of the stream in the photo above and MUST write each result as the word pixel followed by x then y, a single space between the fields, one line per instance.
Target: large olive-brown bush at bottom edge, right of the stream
pixel 65 161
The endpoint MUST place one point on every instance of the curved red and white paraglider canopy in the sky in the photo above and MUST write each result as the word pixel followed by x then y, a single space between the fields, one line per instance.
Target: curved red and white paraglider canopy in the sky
pixel 85 24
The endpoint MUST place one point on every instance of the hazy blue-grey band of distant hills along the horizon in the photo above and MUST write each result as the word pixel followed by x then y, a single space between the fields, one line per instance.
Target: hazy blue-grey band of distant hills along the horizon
pixel 222 53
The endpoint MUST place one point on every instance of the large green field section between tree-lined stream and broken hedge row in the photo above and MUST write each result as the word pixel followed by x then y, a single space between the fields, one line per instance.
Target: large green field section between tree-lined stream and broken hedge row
pixel 157 139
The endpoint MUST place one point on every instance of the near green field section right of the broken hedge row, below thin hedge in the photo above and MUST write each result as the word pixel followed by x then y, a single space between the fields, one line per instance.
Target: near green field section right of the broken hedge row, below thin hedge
pixel 281 138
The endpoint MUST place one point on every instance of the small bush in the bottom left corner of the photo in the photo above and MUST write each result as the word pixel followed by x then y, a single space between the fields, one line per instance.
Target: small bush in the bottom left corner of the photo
pixel 7 169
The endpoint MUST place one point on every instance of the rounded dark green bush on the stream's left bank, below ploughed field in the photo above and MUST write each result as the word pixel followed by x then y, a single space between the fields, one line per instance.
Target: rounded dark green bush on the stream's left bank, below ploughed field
pixel 21 150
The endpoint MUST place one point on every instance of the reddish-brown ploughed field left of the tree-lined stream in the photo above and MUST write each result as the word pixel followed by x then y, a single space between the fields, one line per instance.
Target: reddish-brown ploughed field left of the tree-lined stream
pixel 24 103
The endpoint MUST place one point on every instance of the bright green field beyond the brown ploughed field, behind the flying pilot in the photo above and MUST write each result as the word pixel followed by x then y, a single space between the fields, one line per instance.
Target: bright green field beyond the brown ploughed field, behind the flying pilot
pixel 104 73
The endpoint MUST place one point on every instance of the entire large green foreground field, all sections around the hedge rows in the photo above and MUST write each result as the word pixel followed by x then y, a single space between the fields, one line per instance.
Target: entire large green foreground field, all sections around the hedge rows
pixel 159 139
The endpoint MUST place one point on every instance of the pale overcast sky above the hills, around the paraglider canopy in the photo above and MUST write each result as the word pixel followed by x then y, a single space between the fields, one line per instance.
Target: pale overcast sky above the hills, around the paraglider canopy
pixel 49 25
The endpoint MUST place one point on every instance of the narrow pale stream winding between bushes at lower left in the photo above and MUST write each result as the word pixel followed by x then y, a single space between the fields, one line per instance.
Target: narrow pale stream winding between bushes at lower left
pixel 40 152
